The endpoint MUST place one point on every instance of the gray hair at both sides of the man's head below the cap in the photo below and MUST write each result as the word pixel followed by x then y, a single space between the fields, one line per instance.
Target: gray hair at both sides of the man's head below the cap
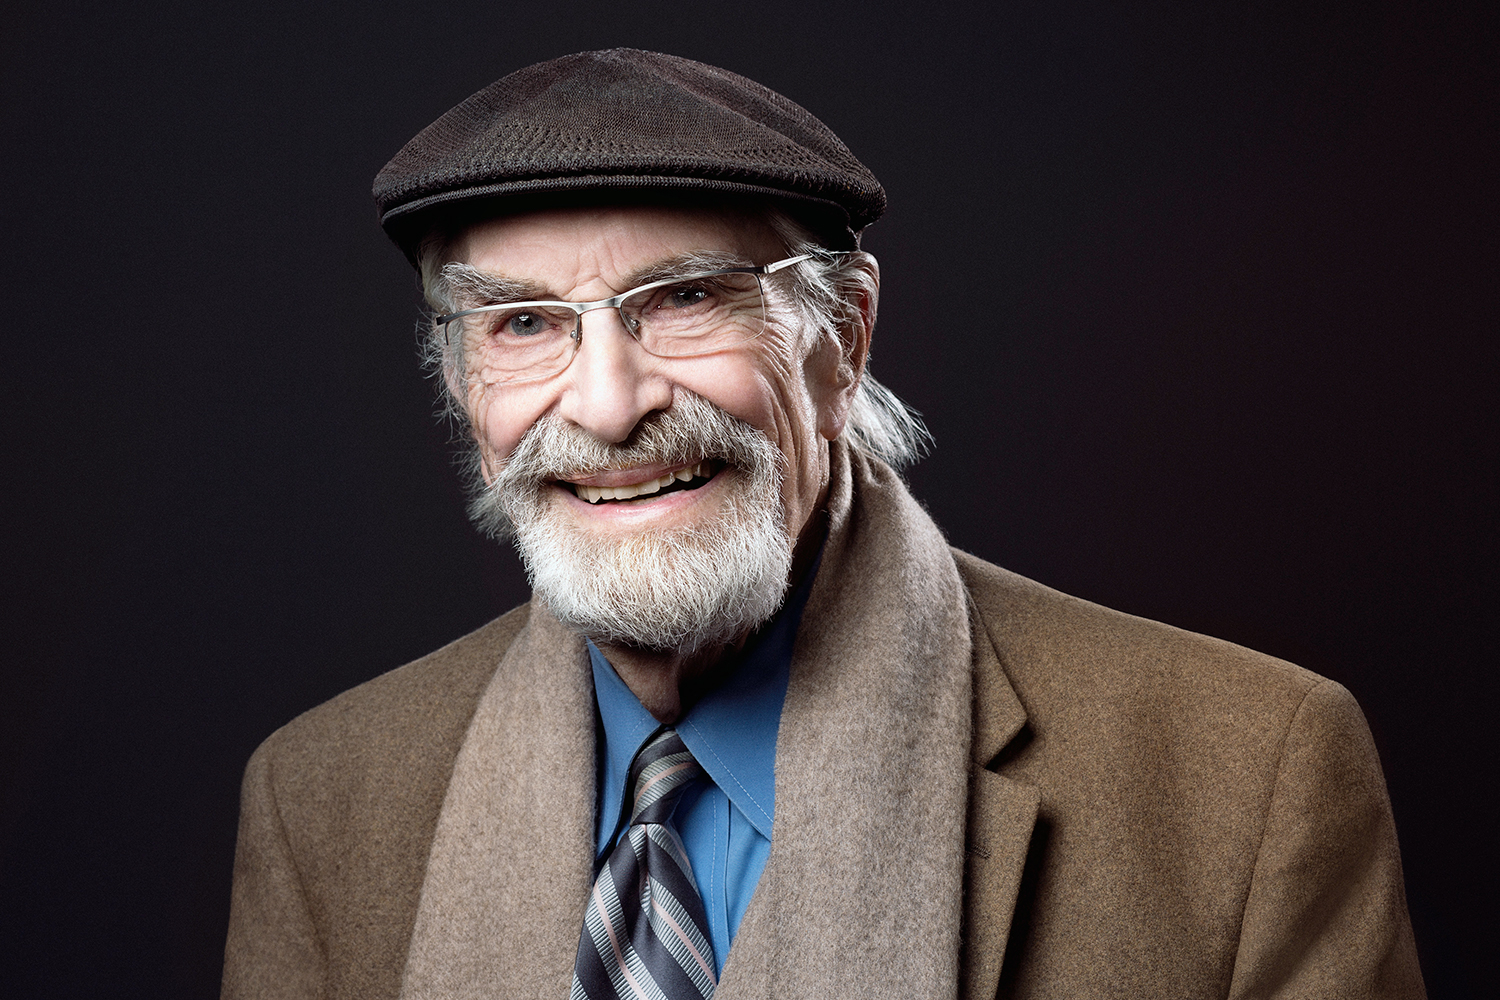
pixel 827 289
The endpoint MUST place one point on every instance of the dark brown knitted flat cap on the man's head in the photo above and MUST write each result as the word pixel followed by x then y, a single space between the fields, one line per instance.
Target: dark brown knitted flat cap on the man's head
pixel 625 124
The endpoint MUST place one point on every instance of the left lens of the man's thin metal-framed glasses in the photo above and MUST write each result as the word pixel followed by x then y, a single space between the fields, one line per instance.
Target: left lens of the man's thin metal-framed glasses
pixel 515 344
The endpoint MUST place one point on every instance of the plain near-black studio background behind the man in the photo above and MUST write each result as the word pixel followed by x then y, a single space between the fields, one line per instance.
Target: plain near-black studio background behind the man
pixel 1198 301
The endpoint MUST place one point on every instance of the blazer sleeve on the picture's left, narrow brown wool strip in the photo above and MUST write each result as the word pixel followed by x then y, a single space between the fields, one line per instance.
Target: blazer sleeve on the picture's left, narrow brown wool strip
pixel 274 948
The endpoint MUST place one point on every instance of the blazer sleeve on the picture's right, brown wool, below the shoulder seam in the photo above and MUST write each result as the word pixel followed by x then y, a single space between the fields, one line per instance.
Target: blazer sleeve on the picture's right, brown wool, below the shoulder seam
pixel 1327 912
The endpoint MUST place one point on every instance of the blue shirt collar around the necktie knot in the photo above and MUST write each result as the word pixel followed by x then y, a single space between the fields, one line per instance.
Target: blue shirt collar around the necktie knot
pixel 731 731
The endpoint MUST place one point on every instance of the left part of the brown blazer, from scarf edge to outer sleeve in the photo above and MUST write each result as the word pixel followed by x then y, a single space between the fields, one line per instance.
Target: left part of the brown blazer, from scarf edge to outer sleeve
pixel 337 822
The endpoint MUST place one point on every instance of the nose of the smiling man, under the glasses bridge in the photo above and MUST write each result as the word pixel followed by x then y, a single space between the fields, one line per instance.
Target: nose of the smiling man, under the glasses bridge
pixel 611 383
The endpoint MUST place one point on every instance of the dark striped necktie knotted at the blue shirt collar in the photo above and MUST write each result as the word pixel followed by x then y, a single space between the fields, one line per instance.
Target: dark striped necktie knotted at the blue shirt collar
pixel 646 936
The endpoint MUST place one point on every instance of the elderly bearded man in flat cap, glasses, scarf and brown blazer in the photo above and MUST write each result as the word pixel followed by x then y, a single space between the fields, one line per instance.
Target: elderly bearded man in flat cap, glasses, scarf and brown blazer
pixel 761 732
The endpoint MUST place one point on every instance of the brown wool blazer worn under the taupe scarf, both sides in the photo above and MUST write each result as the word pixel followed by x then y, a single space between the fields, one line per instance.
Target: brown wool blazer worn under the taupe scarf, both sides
pixel 1180 816
